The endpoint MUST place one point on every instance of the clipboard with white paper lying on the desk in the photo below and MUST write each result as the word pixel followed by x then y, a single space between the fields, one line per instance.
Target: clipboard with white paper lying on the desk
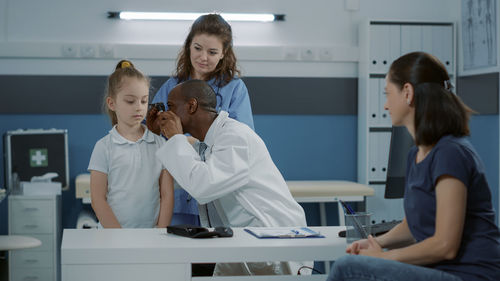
pixel 283 232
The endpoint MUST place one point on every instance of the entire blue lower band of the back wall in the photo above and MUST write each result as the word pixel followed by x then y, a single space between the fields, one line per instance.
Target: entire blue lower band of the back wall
pixel 304 147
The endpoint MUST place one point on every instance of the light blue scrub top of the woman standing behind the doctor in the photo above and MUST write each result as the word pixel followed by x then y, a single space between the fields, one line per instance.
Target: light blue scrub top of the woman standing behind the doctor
pixel 233 98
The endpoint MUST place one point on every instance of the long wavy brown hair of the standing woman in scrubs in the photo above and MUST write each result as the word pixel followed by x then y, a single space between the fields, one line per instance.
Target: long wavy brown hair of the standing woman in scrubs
pixel 226 69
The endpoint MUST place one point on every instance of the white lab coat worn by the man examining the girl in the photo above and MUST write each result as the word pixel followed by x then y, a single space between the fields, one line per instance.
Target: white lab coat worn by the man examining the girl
pixel 239 177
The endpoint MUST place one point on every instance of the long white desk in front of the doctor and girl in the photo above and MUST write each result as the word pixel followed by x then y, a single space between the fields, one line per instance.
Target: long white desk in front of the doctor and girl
pixel 152 254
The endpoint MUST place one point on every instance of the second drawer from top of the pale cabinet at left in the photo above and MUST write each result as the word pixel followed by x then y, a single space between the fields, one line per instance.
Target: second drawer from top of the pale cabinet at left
pixel 29 225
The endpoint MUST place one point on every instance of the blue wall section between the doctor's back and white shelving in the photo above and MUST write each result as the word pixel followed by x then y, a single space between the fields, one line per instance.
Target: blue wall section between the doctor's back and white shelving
pixel 312 147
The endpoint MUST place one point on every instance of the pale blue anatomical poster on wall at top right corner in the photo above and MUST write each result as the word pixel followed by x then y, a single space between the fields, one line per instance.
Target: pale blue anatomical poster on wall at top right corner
pixel 479 34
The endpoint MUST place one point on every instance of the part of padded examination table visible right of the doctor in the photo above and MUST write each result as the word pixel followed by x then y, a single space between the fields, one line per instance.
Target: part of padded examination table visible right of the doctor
pixel 329 191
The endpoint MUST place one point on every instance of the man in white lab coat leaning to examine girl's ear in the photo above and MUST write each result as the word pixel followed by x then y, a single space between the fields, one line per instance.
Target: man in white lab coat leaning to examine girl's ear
pixel 229 172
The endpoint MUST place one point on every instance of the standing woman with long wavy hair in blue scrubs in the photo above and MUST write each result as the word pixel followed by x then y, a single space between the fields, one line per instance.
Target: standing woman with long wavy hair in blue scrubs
pixel 207 55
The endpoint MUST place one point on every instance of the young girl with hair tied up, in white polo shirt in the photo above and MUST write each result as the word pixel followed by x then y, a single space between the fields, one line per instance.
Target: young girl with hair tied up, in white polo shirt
pixel 129 186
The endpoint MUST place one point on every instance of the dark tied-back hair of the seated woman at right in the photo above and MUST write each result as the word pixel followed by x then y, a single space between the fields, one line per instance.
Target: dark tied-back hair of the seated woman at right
pixel 438 111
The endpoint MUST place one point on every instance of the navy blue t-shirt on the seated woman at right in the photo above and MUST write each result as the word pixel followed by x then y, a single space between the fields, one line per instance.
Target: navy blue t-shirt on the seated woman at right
pixel 479 254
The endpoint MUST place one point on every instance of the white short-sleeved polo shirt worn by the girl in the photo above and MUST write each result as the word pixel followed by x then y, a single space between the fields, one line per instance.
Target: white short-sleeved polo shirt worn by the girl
pixel 133 176
